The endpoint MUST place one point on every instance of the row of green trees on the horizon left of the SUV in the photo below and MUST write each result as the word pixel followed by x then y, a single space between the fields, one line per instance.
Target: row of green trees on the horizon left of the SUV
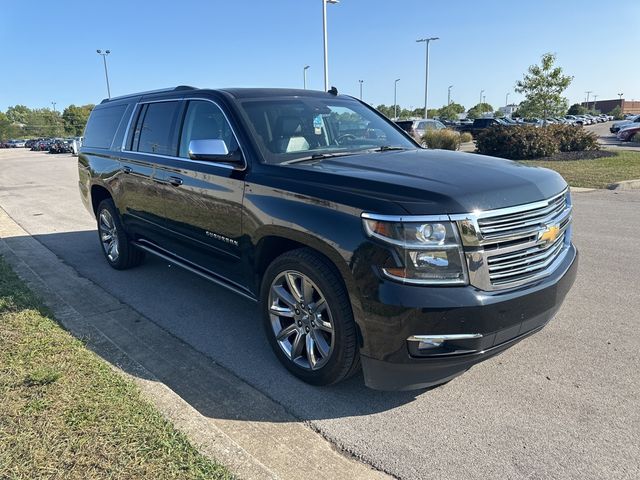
pixel 22 122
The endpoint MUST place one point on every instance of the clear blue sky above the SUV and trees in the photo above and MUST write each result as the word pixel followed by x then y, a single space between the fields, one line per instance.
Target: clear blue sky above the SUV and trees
pixel 48 47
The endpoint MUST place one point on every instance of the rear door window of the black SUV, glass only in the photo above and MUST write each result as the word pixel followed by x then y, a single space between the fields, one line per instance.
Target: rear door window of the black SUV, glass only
pixel 156 131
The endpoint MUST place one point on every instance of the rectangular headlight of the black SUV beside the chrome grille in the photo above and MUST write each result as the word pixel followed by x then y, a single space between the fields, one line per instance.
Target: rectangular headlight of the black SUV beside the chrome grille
pixel 430 251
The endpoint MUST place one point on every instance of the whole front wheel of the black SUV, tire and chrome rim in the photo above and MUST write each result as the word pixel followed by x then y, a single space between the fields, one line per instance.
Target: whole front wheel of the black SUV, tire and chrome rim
pixel 330 324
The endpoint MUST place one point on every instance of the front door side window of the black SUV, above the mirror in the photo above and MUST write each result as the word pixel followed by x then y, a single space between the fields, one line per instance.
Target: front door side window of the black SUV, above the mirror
pixel 205 121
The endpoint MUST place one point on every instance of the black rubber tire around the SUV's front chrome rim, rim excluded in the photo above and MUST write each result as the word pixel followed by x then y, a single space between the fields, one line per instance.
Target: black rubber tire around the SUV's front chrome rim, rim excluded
pixel 331 285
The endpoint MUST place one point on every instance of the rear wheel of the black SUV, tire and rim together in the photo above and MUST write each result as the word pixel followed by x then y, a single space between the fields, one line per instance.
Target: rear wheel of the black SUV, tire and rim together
pixel 118 250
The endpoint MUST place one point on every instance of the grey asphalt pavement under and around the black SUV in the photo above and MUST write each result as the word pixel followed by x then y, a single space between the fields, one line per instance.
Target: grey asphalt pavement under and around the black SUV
pixel 561 404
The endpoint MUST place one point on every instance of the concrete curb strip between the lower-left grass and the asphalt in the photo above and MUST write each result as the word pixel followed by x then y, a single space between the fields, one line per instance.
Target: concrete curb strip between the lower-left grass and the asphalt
pixel 226 418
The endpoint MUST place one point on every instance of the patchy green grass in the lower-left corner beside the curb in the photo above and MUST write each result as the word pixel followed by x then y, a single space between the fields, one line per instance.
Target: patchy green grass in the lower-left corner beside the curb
pixel 65 413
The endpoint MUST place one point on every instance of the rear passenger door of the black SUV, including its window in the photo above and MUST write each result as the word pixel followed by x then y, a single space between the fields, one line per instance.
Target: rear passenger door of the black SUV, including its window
pixel 154 134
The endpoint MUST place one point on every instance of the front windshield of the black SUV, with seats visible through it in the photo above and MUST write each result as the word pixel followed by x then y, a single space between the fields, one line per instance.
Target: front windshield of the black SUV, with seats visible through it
pixel 290 129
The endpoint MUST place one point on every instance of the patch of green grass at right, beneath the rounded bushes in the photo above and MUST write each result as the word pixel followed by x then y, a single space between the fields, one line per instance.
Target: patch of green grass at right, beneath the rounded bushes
pixel 596 173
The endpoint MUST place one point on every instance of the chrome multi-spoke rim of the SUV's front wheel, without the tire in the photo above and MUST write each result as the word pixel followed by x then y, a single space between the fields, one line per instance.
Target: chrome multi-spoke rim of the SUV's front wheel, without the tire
pixel 301 320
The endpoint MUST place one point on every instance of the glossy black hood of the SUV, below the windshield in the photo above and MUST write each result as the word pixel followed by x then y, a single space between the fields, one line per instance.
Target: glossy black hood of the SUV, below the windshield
pixel 426 182
